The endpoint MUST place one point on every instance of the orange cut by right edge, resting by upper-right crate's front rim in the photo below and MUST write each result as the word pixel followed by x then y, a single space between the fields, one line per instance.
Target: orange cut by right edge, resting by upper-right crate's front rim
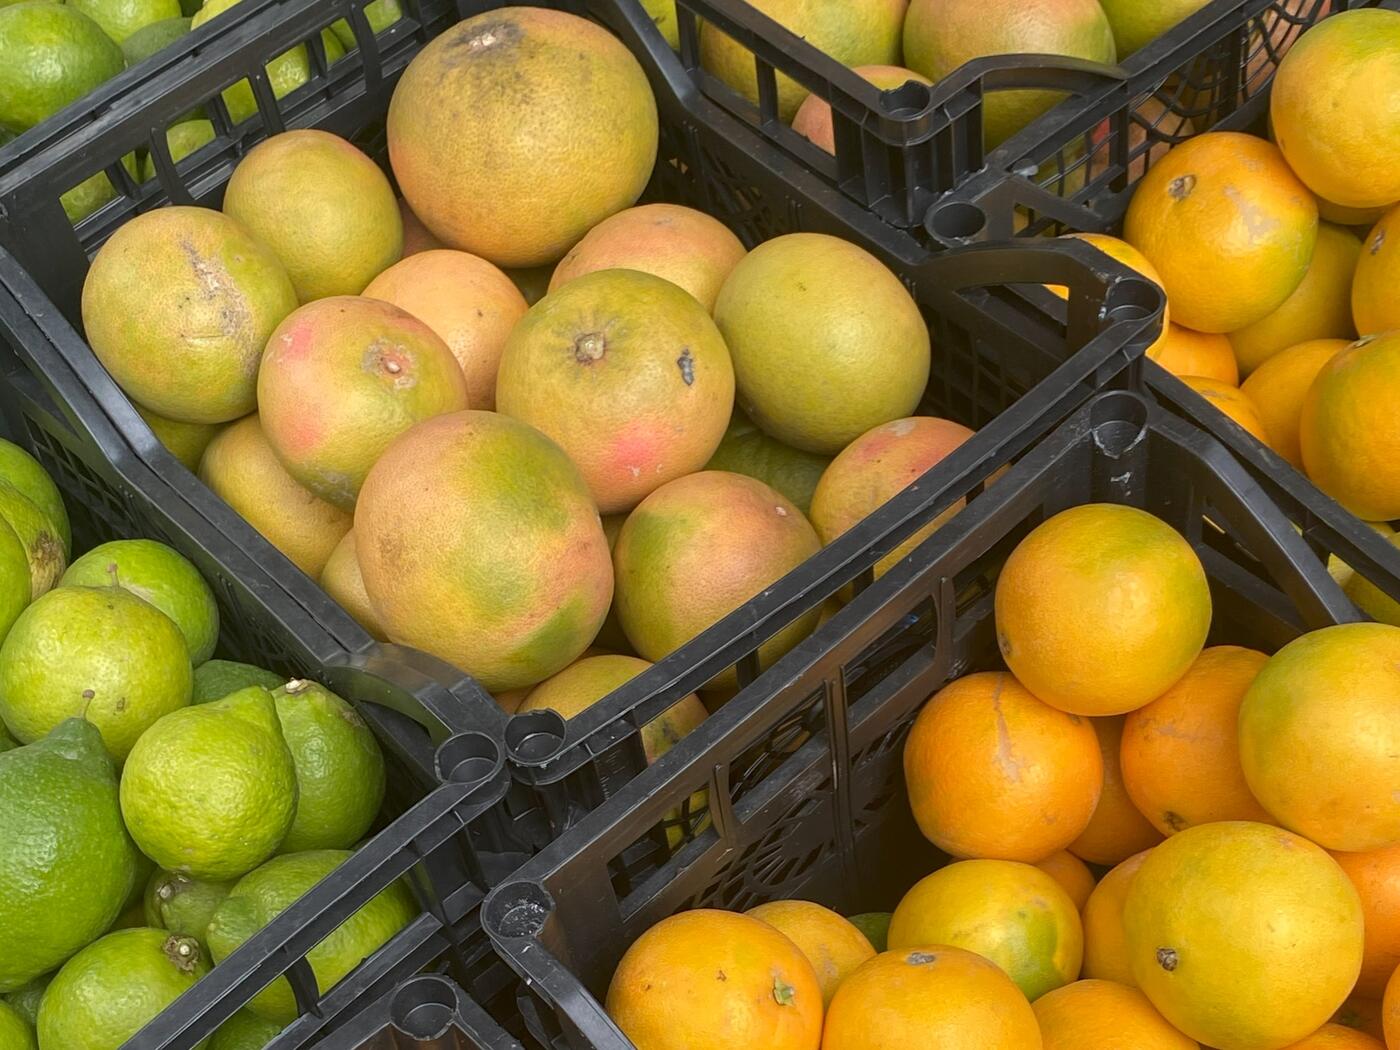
pixel 1350 432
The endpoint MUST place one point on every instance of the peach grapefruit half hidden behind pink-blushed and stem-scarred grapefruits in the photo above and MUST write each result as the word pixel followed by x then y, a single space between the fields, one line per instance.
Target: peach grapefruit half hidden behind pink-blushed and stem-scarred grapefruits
pixel 468 302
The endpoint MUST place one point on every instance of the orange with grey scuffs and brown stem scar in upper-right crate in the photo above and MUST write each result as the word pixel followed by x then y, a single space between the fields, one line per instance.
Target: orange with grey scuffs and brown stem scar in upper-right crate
pixel 1228 226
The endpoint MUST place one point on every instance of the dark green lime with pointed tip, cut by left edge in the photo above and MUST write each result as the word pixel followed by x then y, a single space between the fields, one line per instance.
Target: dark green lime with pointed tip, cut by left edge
pixel 66 863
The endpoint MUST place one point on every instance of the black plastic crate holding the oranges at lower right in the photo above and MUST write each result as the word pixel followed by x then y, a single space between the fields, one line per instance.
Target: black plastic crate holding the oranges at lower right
pixel 806 785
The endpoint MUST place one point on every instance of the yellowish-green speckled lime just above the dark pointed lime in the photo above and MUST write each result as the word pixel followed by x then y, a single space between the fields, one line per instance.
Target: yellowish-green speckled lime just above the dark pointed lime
pixel 94 652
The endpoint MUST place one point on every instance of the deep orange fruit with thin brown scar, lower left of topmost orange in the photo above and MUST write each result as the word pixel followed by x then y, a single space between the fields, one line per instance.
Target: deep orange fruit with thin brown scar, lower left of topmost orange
pixel 993 772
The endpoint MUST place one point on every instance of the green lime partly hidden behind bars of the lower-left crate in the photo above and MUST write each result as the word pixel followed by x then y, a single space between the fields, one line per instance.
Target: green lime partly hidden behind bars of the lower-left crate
pixel 264 894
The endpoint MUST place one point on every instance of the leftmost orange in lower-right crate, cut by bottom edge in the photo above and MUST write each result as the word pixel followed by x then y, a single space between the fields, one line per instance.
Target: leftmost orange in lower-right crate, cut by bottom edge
pixel 716 979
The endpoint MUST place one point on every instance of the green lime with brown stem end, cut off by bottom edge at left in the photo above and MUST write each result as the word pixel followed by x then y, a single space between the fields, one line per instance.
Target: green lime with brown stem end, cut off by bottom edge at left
pixel 110 990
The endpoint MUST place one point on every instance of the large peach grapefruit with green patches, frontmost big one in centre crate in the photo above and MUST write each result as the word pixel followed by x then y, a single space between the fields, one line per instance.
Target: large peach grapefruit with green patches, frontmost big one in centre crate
pixel 507 580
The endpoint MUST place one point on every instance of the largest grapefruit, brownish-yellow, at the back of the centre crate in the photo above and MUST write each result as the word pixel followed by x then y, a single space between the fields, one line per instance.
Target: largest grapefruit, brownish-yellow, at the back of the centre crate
pixel 512 191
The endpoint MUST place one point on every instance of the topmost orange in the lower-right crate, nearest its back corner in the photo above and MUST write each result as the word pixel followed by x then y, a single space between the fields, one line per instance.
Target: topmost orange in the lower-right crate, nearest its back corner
pixel 1101 610
